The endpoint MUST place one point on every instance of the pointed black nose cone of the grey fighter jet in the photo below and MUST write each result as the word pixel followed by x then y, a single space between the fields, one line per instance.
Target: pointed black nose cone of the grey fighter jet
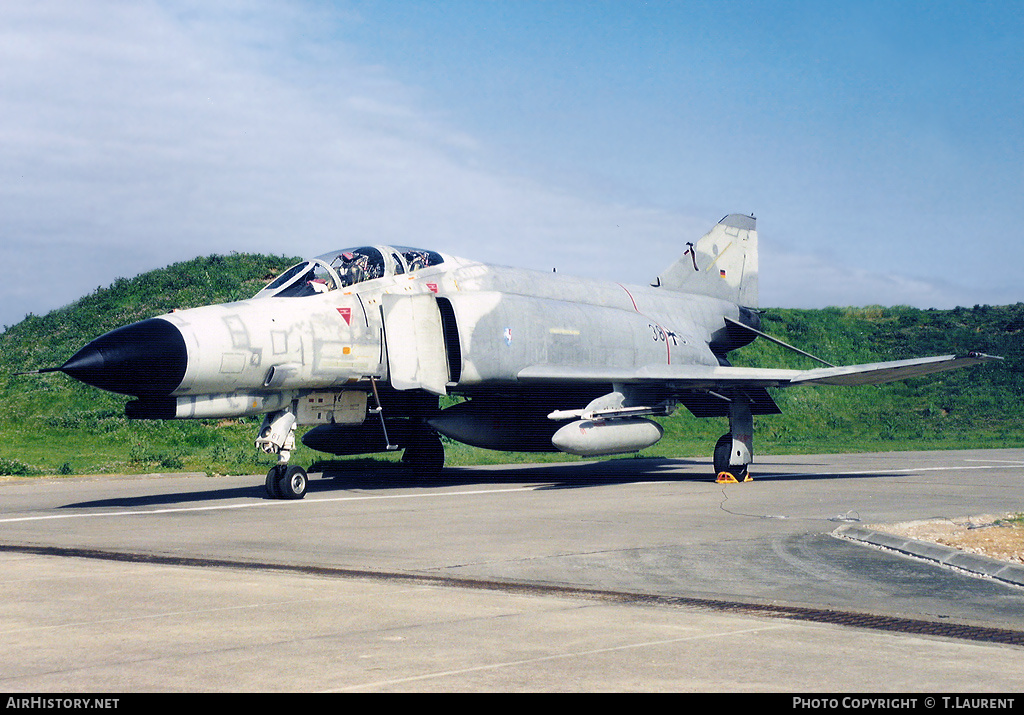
pixel 145 360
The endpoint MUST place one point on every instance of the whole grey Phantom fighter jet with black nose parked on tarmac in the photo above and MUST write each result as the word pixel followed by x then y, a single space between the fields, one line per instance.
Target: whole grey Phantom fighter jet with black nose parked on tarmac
pixel 362 343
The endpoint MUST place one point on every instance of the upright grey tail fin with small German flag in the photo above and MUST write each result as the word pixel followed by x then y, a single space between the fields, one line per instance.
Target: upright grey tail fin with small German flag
pixel 722 265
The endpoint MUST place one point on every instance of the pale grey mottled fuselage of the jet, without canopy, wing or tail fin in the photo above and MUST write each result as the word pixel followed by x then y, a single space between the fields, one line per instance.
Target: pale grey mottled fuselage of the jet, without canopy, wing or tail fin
pixel 254 356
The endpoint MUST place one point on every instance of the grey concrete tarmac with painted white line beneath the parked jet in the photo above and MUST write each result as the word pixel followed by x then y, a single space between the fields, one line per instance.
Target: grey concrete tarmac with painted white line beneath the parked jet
pixel 624 575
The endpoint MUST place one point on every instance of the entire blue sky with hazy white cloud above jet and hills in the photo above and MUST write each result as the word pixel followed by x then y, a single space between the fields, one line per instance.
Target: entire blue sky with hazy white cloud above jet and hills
pixel 879 144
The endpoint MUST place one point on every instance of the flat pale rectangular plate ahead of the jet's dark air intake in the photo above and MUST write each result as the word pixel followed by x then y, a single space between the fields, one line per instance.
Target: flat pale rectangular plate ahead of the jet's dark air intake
pixel 415 341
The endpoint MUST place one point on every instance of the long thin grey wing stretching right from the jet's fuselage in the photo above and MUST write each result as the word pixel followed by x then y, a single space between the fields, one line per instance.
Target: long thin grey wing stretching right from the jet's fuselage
pixel 712 377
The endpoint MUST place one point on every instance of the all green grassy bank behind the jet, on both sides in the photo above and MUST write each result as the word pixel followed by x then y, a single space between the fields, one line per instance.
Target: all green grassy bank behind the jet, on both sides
pixel 53 425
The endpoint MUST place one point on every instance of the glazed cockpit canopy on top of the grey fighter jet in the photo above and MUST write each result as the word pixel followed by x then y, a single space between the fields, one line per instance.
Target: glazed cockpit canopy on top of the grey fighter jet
pixel 348 268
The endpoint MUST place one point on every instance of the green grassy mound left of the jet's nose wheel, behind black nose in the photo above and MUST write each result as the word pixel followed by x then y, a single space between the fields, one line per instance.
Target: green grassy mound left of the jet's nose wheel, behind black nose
pixel 54 425
